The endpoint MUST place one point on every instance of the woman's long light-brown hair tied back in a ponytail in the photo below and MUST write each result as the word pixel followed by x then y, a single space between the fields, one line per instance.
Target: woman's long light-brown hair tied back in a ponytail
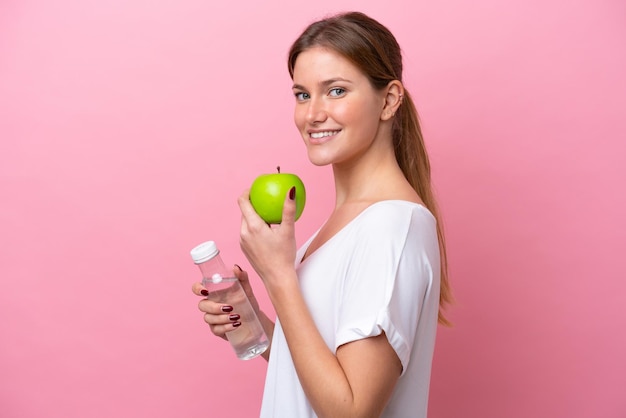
pixel 374 50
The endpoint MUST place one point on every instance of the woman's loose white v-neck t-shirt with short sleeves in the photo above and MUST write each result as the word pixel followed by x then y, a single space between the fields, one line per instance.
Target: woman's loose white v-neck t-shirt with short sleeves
pixel 379 273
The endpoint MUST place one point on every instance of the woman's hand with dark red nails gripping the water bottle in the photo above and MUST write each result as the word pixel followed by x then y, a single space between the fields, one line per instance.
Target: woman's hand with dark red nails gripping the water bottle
pixel 220 316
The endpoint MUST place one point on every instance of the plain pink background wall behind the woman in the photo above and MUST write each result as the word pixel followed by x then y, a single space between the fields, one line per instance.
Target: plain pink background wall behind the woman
pixel 128 129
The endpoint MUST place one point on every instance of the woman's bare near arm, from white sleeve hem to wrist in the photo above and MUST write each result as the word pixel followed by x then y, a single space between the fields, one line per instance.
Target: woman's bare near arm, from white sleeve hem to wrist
pixel 357 382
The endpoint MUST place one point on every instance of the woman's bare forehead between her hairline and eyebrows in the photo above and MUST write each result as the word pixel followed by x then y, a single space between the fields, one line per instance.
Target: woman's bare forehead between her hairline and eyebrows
pixel 320 63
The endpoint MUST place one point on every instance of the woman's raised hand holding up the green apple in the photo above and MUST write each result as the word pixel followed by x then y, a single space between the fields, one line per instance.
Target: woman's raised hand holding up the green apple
pixel 270 249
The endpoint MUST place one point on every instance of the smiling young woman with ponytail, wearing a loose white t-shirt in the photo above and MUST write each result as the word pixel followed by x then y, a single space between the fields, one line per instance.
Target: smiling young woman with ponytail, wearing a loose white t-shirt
pixel 358 304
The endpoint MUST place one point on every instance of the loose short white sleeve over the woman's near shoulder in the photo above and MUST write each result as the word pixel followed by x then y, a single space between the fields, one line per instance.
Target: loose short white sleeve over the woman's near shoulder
pixel 390 273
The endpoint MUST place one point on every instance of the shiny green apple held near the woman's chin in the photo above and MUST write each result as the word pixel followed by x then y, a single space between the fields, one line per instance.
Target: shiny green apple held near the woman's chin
pixel 268 193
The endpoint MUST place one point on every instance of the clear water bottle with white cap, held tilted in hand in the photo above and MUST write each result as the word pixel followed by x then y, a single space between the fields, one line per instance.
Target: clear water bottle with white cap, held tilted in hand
pixel 248 340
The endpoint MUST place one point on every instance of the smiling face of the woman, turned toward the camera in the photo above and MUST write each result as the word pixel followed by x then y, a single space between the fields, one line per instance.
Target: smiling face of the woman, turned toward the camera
pixel 338 111
